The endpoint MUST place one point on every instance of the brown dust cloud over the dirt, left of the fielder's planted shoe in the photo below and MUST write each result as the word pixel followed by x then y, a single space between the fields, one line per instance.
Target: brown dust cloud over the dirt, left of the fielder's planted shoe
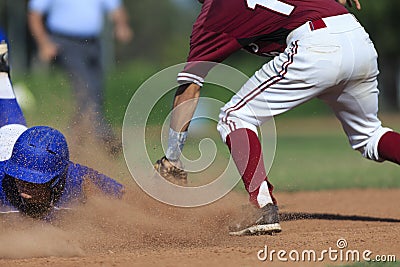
pixel 106 225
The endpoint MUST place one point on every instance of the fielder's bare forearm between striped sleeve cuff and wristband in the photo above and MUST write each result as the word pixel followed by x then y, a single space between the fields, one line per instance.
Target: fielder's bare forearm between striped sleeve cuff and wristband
pixel 185 104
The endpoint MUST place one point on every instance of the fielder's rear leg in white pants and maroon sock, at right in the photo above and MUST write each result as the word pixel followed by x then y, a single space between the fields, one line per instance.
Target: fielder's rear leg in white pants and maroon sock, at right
pixel 356 103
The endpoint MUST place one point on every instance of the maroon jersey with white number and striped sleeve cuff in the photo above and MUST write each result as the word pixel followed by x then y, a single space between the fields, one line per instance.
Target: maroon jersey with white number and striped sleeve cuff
pixel 259 26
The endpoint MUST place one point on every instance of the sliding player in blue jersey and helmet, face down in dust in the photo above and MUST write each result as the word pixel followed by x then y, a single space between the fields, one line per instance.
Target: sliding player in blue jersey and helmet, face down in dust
pixel 36 175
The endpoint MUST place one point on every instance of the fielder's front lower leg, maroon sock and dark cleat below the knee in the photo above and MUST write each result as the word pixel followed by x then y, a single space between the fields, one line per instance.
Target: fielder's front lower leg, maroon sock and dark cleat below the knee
pixel 246 152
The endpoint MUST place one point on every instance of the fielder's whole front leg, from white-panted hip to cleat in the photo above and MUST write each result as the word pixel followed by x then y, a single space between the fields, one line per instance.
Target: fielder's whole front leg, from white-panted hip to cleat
pixel 279 86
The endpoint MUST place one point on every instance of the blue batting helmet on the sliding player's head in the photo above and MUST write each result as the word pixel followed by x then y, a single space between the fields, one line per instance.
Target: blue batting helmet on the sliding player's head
pixel 39 155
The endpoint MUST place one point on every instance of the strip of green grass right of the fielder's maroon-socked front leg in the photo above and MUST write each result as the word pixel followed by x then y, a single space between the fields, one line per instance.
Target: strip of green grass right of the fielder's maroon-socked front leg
pixel 326 162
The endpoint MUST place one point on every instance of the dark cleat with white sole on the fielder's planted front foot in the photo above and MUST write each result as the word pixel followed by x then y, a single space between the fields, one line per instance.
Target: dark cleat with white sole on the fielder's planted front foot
pixel 264 221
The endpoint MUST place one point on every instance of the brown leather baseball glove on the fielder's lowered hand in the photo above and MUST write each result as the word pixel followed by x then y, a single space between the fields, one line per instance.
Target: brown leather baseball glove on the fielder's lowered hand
pixel 171 171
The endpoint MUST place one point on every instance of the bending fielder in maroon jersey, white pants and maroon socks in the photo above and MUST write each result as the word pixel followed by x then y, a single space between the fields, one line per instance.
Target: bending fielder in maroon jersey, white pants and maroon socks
pixel 320 51
